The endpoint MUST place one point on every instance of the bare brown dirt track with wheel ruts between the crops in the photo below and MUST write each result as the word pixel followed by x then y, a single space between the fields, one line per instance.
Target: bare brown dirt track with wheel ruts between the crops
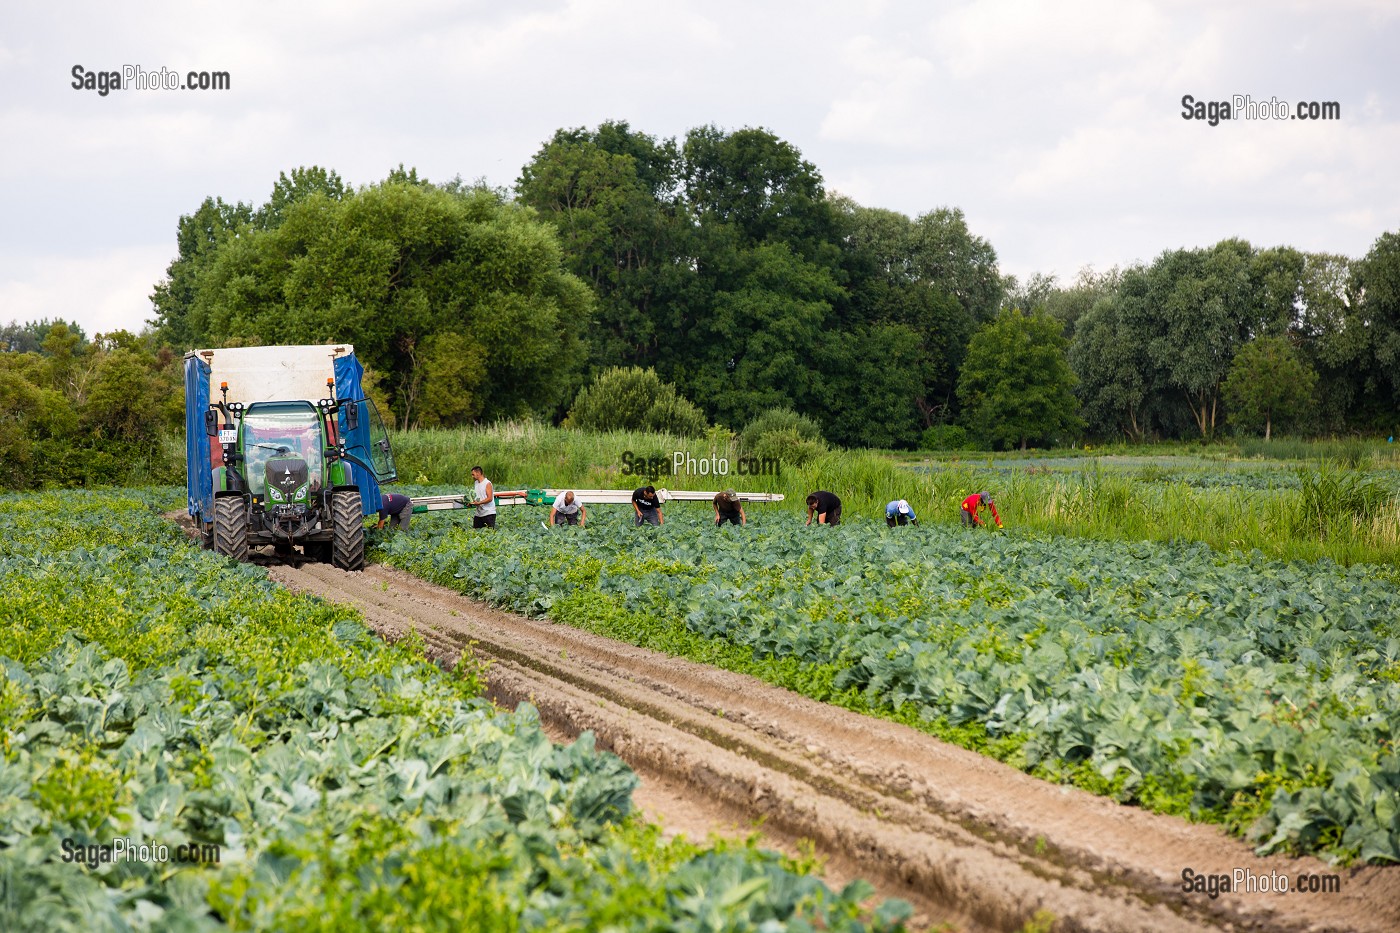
pixel 964 838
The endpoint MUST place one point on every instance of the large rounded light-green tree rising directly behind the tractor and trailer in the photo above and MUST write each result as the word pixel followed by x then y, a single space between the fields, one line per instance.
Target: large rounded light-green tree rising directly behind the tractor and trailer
pixel 394 267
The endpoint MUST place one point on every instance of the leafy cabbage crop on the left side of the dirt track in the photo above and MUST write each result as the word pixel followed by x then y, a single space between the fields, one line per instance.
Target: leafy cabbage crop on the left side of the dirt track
pixel 157 693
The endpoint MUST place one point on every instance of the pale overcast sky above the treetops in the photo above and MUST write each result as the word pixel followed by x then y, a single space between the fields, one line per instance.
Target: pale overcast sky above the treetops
pixel 1056 128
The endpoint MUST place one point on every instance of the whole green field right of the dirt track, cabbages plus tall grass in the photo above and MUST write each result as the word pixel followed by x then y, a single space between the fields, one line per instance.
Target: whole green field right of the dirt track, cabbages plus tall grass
pixel 1202 635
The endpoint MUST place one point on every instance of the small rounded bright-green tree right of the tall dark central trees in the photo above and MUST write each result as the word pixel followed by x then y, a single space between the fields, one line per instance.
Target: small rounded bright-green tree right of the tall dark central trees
pixel 1016 385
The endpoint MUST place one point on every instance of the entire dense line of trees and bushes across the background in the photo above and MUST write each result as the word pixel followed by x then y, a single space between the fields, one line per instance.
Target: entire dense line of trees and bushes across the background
pixel 719 271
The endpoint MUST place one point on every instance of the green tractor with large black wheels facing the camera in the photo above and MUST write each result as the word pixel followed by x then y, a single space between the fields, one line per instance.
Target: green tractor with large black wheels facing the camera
pixel 286 480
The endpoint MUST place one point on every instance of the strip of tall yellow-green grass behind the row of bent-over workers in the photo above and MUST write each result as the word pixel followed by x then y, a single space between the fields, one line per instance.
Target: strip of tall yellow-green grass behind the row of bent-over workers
pixel 1335 513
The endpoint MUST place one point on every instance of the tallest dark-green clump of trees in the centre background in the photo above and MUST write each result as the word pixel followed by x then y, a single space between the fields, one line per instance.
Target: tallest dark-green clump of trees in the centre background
pixel 722 263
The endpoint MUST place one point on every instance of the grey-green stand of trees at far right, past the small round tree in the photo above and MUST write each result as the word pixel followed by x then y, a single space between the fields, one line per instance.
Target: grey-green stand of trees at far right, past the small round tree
pixel 1231 333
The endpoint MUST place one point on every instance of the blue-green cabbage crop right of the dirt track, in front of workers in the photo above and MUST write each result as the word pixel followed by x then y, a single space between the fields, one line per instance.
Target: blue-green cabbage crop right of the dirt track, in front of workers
pixel 1235 690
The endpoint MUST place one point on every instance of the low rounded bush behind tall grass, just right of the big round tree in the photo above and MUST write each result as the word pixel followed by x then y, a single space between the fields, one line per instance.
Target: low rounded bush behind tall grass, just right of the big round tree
pixel 633 399
